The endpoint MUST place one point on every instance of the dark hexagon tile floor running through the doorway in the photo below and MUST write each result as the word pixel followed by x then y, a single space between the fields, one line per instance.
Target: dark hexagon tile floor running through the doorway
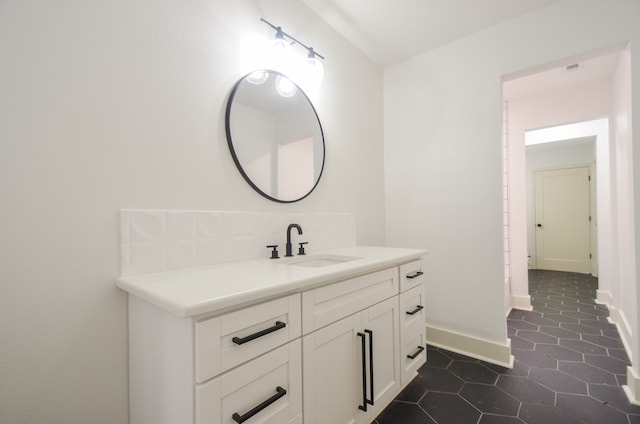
pixel 569 368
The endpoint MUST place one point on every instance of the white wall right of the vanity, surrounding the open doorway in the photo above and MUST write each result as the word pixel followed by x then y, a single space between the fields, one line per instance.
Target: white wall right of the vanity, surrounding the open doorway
pixel 443 157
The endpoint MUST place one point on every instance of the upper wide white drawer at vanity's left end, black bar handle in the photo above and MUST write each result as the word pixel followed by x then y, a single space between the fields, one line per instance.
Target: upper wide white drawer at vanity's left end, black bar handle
pixel 229 340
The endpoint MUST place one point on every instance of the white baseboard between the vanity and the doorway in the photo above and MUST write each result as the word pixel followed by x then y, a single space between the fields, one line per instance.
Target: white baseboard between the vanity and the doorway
pixel 485 350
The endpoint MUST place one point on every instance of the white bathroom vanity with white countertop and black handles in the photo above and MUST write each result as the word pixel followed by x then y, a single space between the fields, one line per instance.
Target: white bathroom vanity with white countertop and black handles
pixel 330 337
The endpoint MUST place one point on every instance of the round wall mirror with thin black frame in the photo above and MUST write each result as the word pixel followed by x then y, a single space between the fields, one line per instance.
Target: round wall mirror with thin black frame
pixel 275 136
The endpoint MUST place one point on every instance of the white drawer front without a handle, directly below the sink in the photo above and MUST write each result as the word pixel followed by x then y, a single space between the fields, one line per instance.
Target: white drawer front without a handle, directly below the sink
pixel 331 303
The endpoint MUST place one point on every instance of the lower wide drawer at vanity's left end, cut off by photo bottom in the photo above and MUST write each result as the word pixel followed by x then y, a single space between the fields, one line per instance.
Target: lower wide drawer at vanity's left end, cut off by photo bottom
pixel 269 389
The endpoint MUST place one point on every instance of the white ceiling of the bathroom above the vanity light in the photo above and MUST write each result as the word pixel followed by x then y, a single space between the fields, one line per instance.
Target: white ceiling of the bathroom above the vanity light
pixel 390 31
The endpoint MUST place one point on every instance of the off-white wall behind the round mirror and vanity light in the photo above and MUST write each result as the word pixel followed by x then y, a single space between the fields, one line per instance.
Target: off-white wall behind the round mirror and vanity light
pixel 117 104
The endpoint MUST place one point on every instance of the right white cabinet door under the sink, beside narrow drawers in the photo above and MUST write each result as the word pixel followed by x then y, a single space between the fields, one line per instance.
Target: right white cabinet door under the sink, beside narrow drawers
pixel 380 324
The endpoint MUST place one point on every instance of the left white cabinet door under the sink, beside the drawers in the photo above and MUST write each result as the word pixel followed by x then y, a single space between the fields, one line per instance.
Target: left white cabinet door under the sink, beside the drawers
pixel 332 364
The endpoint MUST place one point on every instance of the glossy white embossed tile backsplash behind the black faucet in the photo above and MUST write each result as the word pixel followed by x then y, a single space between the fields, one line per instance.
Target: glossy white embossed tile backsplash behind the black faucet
pixel 157 240
